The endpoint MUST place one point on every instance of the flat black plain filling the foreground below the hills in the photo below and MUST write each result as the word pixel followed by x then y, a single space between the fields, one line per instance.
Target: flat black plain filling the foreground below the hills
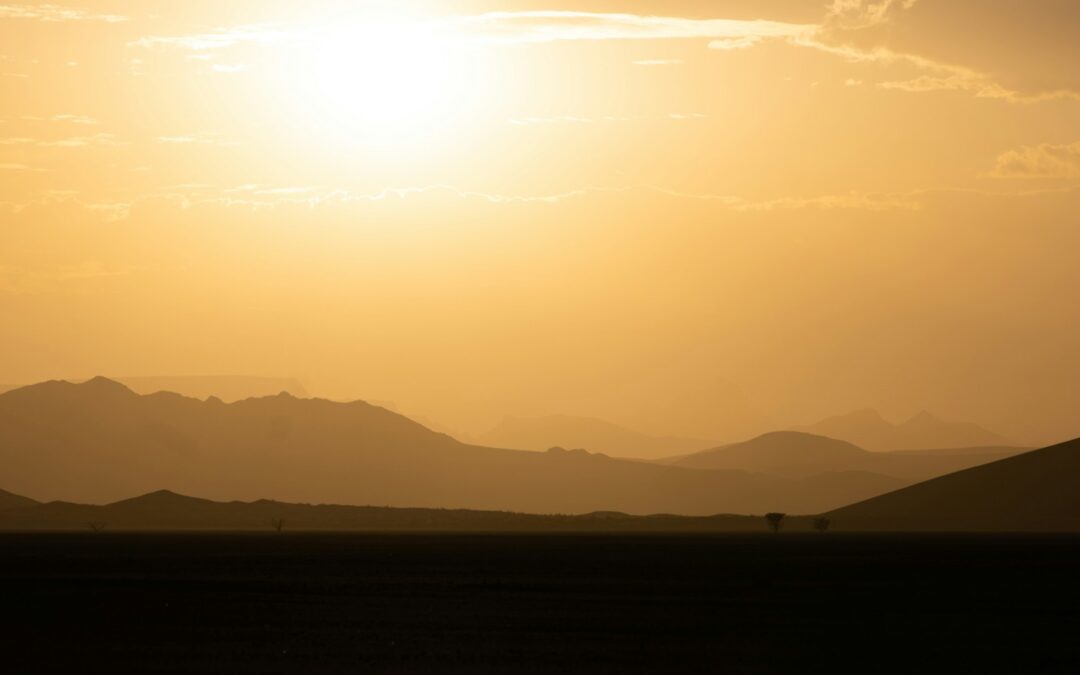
pixel 349 603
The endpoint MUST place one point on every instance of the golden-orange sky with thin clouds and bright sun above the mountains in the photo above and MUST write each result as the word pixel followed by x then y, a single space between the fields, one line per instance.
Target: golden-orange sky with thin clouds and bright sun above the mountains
pixel 696 219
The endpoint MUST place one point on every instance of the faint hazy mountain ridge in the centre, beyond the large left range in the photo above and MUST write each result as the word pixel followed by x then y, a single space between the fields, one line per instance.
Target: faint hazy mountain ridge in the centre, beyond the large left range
pixel 597 436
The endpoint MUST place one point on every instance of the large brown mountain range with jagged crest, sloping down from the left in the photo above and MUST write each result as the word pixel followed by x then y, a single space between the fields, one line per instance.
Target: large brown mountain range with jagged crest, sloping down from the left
pixel 99 441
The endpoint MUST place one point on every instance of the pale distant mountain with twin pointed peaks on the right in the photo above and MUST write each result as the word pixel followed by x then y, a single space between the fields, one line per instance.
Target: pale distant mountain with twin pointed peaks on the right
pixel 869 430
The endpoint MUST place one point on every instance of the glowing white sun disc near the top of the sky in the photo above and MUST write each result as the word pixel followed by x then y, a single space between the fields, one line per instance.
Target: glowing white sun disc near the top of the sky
pixel 380 80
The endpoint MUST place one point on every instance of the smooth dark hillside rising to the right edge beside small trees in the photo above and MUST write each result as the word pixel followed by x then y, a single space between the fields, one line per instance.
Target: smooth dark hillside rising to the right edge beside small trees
pixel 1034 492
